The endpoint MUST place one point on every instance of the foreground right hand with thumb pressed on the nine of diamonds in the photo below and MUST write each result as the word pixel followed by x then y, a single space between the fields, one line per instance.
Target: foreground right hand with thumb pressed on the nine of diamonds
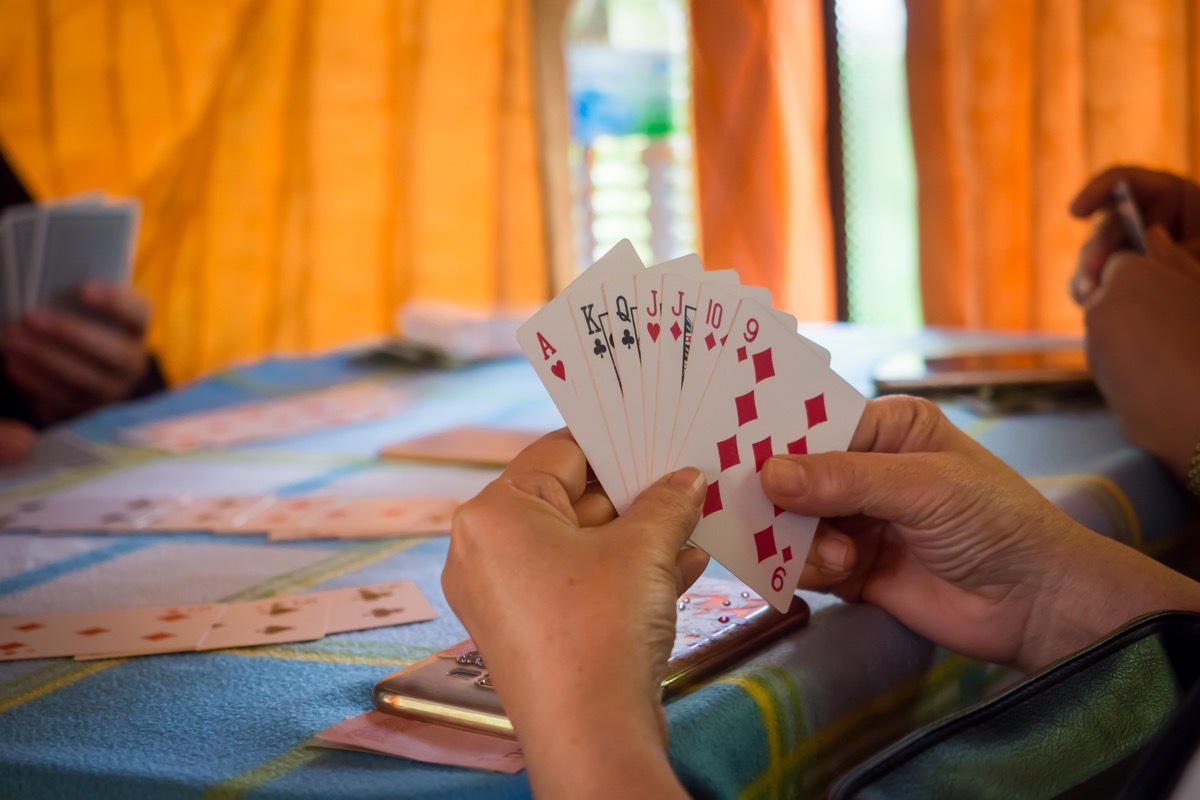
pixel 961 549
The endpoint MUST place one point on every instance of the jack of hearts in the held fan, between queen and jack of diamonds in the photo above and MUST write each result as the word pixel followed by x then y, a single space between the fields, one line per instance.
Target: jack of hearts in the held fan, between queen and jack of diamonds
pixel 653 336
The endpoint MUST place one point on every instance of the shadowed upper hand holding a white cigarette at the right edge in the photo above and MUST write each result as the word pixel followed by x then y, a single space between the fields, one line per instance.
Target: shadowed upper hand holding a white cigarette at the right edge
pixel 1163 200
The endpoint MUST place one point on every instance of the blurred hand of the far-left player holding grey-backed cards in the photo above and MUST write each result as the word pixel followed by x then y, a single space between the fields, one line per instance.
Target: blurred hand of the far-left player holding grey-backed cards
pixel 68 365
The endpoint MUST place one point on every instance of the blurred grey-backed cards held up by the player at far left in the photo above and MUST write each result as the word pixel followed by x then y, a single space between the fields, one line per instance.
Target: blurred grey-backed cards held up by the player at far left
pixel 50 250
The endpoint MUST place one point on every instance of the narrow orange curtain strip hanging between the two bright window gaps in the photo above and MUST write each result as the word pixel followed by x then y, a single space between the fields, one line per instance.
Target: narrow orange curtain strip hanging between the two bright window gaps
pixel 760 134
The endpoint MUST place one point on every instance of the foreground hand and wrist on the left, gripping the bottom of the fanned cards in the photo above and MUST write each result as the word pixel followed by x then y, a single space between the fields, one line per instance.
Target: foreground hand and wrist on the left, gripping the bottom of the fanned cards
pixel 574 612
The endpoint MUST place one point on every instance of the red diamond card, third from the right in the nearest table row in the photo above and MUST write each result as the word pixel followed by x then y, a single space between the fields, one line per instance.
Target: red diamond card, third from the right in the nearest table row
pixel 145 631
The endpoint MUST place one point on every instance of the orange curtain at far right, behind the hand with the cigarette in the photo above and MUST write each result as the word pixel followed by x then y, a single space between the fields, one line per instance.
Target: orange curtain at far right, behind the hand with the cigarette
pixel 1015 105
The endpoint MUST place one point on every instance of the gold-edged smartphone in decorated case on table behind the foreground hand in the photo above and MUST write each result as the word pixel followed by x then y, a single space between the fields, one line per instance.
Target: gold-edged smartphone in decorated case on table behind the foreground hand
pixel 719 623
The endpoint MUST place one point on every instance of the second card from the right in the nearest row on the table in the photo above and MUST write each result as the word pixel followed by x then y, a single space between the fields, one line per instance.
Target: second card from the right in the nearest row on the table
pixel 301 618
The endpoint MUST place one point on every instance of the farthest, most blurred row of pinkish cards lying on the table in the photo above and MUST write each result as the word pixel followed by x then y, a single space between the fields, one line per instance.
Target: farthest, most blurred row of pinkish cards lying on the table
pixel 275 419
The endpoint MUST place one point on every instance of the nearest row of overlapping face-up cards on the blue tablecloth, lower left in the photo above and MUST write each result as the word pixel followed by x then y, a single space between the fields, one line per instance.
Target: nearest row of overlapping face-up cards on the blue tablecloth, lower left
pixel 209 627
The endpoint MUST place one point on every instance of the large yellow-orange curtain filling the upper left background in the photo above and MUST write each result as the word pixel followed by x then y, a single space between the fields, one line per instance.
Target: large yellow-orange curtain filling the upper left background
pixel 305 167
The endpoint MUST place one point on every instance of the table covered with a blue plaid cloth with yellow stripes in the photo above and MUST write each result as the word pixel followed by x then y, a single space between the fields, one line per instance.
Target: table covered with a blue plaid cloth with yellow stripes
pixel 236 724
